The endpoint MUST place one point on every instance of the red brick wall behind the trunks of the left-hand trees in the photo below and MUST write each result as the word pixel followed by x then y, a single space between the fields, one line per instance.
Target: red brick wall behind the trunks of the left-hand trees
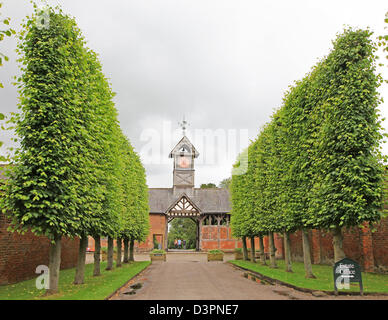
pixel 21 254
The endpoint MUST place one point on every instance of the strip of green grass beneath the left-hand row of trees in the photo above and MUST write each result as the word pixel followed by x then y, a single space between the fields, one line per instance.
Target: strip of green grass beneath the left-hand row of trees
pixel 94 288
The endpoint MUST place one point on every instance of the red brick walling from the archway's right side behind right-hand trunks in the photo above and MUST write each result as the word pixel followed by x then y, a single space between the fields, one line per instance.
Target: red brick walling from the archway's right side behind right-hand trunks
pixel 370 249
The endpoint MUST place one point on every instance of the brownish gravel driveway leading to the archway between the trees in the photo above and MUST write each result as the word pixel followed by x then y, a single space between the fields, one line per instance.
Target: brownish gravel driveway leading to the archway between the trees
pixel 190 276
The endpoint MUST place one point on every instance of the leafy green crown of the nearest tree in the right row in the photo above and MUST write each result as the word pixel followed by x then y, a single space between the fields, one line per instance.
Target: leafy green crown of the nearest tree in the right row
pixel 347 171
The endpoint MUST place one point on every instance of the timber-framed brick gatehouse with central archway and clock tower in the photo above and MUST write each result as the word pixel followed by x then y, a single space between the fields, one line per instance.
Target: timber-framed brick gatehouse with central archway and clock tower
pixel 208 208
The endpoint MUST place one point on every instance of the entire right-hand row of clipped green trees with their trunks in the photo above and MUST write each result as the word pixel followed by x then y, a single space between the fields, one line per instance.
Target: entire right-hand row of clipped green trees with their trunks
pixel 317 163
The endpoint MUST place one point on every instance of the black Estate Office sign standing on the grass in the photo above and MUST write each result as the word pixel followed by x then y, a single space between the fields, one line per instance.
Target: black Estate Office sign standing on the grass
pixel 346 271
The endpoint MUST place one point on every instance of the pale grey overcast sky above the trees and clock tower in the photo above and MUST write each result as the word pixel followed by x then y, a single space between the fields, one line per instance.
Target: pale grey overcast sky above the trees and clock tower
pixel 223 64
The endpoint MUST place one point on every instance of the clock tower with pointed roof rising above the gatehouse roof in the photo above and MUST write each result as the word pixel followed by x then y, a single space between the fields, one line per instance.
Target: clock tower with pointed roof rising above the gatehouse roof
pixel 183 154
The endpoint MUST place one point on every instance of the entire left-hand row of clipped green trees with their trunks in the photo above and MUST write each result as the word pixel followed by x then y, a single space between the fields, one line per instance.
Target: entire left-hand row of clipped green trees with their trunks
pixel 75 174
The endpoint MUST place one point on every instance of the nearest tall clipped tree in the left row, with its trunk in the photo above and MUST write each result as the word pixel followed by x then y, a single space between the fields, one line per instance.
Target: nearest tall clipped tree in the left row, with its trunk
pixel 42 192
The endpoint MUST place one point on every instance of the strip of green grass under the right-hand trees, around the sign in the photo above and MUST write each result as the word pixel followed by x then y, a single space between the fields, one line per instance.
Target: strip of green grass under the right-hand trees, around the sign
pixel 372 282
